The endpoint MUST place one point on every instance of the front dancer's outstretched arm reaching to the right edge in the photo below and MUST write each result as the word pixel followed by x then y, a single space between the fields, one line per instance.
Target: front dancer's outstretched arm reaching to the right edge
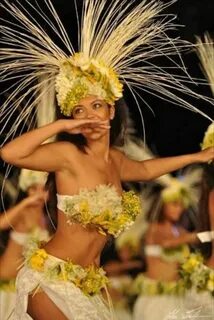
pixel 131 170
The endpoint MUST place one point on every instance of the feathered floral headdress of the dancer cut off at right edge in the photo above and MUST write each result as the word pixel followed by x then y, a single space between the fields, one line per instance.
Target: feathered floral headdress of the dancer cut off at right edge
pixel 205 50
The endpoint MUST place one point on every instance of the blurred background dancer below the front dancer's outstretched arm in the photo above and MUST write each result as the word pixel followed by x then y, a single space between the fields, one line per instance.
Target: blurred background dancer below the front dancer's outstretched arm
pixel 165 248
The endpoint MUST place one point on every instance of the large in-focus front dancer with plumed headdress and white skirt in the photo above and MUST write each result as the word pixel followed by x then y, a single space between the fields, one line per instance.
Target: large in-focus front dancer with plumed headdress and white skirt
pixel 63 279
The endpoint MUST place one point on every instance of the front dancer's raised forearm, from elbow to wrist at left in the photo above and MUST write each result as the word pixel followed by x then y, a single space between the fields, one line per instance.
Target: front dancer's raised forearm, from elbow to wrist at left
pixel 26 144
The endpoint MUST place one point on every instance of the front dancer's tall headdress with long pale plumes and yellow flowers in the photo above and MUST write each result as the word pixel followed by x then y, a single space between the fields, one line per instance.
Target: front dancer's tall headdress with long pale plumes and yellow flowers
pixel 118 43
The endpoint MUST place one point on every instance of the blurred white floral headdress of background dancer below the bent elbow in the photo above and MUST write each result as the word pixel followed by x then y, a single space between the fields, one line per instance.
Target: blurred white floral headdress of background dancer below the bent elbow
pixel 28 178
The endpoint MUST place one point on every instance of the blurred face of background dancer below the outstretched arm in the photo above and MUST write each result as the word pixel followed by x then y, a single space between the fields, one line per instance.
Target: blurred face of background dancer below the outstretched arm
pixel 173 210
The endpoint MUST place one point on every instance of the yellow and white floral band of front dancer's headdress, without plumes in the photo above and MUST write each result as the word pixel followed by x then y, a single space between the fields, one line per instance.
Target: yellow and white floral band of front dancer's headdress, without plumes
pixel 80 76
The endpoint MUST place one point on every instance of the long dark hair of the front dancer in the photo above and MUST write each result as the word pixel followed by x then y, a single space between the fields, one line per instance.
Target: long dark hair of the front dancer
pixel 117 137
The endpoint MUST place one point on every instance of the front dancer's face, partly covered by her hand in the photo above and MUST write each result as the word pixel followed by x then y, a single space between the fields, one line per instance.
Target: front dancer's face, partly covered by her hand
pixel 93 107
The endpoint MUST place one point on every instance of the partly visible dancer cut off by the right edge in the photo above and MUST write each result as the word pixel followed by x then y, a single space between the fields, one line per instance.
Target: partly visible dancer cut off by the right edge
pixel 198 270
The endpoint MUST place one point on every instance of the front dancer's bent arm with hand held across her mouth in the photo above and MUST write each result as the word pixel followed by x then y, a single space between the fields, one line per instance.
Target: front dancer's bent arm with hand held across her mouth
pixel 28 152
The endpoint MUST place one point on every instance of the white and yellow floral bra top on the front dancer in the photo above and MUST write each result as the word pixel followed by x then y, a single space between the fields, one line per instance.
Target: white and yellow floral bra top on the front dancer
pixel 102 208
